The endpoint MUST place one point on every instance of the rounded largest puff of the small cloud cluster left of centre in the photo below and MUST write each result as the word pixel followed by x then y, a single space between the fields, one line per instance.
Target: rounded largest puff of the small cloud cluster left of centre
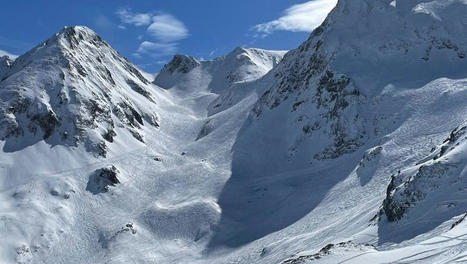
pixel 166 28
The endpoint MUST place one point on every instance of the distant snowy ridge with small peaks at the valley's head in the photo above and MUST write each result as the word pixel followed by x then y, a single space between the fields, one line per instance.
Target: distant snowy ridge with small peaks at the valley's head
pixel 216 76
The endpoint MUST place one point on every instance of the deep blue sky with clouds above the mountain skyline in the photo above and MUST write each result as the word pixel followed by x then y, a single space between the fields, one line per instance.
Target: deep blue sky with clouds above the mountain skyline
pixel 149 33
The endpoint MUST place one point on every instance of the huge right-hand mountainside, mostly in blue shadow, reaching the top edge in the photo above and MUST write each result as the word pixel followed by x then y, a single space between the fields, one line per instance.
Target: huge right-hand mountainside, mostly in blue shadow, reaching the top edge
pixel 338 116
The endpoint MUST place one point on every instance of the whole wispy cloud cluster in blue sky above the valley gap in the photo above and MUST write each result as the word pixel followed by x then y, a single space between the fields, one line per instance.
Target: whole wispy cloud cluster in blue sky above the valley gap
pixel 164 28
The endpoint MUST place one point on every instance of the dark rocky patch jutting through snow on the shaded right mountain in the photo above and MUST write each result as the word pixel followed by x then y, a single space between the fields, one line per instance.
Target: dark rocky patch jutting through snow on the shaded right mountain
pixel 321 101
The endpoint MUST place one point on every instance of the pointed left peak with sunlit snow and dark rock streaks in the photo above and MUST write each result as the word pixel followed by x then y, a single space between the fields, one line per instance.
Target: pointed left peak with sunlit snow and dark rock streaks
pixel 71 89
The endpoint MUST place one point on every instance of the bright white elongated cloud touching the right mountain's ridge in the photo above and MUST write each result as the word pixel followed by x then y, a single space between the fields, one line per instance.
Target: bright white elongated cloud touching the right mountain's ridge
pixel 299 18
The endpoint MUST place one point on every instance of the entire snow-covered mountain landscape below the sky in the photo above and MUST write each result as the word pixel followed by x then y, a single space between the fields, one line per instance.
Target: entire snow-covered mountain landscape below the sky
pixel 349 149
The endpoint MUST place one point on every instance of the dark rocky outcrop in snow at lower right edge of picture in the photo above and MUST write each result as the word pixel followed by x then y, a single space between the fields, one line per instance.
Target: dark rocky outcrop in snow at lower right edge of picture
pixel 442 168
